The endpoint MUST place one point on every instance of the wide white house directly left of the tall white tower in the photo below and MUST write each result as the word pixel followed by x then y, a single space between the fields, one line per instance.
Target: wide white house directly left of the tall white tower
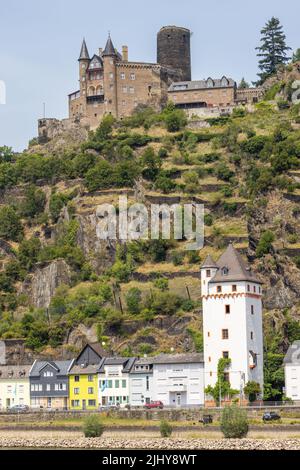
pixel 178 379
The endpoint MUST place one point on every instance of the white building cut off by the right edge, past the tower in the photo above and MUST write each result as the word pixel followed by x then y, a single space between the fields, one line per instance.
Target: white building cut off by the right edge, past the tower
pixel 292 371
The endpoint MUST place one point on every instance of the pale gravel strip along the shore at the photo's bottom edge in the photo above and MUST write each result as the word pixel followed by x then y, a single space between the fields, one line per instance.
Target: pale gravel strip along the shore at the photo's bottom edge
pixel 154 443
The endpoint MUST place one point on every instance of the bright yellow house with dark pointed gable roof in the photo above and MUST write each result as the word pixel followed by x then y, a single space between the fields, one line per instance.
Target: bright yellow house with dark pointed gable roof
pixel 83 378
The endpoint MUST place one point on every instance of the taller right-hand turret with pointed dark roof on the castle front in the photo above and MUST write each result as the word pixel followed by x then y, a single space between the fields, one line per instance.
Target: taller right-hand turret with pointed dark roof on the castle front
pixel 110 58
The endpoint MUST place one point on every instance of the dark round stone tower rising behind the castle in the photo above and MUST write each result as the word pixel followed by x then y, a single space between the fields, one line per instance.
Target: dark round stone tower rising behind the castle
pixel 174 50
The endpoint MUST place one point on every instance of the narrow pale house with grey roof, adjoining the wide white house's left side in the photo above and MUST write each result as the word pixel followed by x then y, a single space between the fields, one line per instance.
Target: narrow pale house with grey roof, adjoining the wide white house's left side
pixel 141 382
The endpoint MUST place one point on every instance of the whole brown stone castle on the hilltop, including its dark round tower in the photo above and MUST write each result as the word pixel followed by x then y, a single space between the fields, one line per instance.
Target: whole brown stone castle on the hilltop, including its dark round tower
pixel 109 83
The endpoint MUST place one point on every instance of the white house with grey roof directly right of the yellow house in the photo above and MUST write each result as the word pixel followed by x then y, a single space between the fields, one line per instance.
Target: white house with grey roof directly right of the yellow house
pixel 113 379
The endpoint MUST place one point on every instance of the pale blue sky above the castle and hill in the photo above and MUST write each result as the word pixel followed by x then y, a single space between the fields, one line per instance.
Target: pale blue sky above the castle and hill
pixel 40 43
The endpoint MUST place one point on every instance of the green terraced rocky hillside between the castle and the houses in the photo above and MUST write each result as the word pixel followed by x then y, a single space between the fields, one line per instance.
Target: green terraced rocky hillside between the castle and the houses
pixel 61 286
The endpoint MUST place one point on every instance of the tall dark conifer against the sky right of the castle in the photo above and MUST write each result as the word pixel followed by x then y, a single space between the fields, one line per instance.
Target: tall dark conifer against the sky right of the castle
pixel 273 48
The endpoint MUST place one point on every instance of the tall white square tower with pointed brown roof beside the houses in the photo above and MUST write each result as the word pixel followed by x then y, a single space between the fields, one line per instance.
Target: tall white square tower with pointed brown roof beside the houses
pixel 232 320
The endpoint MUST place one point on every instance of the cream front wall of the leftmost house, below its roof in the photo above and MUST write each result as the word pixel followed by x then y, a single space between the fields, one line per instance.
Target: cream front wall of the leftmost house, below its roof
pixel 14 392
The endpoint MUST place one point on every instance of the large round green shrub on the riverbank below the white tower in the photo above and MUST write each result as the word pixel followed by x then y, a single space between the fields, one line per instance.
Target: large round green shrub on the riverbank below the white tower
pixel 234 422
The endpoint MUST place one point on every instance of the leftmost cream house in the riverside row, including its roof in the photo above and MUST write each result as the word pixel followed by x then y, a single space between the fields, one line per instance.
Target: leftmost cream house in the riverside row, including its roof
pixel 14 386
